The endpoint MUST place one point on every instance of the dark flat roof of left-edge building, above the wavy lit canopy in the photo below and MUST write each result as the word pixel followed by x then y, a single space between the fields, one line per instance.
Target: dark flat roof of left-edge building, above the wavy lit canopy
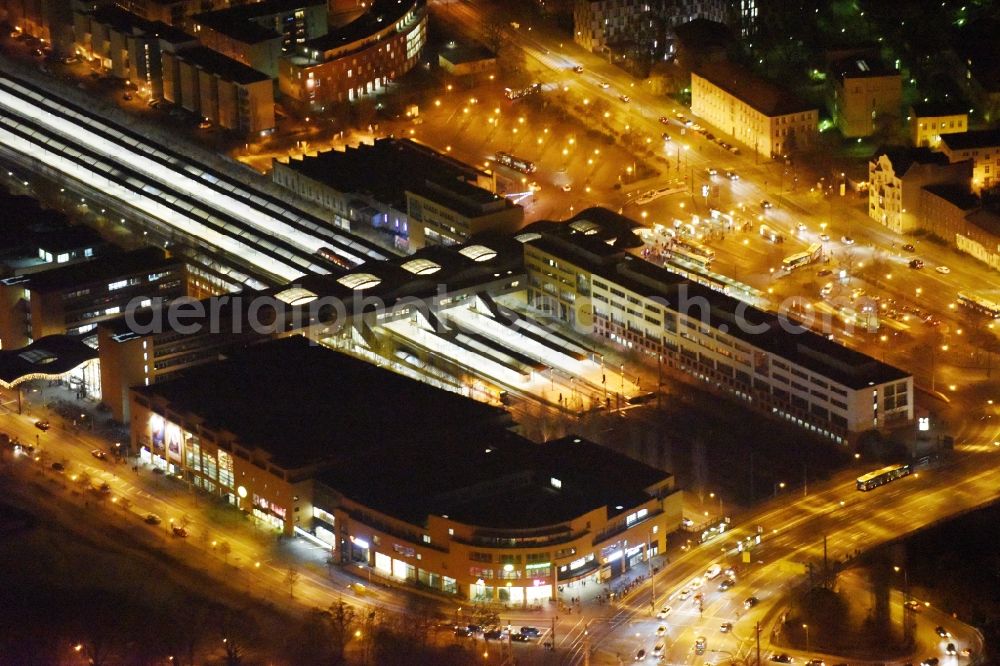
pixel 105 268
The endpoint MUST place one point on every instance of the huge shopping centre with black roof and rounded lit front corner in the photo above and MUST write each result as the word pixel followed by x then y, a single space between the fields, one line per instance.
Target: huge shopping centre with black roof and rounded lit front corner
pixel 439 494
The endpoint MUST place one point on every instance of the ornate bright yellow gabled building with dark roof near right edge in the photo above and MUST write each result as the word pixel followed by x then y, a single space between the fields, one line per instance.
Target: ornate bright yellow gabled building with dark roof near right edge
pixel 896 177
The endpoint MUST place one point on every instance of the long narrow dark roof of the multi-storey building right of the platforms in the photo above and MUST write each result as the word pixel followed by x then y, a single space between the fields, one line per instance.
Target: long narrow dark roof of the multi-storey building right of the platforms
pixel 764 330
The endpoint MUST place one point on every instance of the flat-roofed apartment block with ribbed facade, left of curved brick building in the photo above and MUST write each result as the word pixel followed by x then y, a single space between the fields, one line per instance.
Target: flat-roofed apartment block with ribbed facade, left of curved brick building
pixel 226 92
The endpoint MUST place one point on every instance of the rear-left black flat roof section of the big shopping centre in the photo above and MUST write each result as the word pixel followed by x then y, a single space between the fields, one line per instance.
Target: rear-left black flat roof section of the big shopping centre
pixel 306 405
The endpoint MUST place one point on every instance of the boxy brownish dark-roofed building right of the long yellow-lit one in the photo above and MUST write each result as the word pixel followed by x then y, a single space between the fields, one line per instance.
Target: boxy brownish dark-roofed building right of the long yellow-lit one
pixel 866 95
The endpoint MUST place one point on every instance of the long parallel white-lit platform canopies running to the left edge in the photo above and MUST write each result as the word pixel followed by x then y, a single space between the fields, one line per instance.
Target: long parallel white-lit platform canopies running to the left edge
pixel 215 211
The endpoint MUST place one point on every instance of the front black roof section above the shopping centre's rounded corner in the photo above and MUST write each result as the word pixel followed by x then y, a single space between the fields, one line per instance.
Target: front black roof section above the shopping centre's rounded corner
pixel 499 481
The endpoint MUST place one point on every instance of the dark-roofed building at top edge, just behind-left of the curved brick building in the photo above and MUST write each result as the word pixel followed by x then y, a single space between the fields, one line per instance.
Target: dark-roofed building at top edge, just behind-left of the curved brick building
pixel 256 34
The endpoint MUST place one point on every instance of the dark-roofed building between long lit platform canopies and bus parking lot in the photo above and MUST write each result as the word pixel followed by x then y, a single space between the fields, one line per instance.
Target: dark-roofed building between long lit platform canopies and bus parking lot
pixel 420 197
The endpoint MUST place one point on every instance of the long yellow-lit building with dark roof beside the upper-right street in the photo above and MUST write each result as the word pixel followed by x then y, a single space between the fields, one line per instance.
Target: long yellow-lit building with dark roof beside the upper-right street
pixel 754 112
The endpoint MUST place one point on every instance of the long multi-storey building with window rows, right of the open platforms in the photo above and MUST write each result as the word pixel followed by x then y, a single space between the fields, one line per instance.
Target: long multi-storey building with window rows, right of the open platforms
pixel 580 273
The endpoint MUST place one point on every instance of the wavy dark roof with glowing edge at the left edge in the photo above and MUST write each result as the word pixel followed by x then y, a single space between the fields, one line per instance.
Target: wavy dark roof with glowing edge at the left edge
pixel 50 357
